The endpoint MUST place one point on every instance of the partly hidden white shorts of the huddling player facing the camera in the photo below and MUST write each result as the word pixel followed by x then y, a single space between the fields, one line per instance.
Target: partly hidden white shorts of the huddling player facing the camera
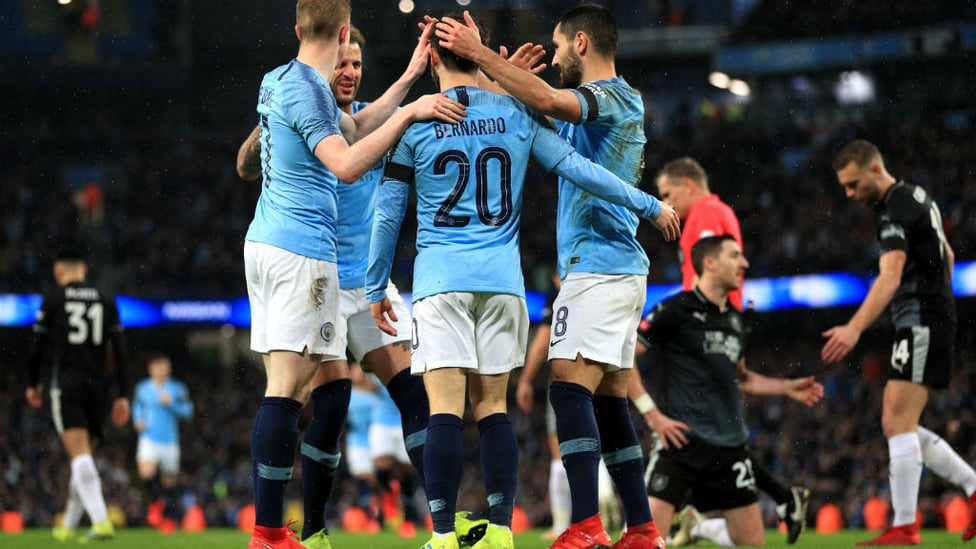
pixel 356 329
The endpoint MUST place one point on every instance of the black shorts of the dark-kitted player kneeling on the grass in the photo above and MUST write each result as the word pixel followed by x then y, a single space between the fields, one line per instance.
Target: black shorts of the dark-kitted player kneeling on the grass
pixel 718 477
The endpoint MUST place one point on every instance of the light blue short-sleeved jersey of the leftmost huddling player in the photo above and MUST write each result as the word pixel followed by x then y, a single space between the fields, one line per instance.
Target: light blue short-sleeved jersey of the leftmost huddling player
pixel 297 207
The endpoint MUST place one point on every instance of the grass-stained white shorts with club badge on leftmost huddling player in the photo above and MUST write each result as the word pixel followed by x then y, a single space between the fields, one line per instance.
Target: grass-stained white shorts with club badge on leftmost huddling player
pixel 294 301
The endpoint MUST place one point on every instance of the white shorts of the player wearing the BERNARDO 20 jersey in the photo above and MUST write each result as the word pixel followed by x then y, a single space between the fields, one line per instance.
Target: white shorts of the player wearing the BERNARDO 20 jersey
pixel 486 332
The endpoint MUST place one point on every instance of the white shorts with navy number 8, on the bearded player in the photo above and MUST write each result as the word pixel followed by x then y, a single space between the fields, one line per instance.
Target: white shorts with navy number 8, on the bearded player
pixel 596 316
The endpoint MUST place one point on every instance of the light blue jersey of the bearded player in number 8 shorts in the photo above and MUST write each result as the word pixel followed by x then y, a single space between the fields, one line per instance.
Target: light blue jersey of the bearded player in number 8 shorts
pixel 592 235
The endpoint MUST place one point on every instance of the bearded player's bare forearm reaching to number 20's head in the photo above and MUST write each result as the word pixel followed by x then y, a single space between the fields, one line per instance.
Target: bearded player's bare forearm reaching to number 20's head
pixel 464 40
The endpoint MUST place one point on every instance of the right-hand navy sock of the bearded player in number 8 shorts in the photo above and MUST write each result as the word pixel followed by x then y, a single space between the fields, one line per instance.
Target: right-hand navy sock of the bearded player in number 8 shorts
pixel 623 455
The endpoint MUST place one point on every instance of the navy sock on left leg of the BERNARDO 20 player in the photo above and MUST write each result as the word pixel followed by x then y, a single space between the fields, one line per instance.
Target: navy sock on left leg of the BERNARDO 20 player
pixel 443 459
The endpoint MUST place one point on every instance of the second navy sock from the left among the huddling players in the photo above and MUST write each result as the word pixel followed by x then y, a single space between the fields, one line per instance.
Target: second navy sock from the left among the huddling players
pixel 320 450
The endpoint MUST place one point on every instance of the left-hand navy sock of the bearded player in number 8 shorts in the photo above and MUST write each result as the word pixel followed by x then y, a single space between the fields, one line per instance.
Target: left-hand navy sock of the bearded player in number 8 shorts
pixel 579 444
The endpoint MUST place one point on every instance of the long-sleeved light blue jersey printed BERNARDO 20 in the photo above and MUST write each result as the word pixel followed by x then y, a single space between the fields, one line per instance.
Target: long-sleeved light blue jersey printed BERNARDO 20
pixel 469 180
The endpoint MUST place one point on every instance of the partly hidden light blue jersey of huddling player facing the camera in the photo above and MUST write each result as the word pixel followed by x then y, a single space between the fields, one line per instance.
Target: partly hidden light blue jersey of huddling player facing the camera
pixel 356 205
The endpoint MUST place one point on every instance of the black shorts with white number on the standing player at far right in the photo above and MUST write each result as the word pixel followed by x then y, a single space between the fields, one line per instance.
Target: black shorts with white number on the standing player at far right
pixel 923 355
